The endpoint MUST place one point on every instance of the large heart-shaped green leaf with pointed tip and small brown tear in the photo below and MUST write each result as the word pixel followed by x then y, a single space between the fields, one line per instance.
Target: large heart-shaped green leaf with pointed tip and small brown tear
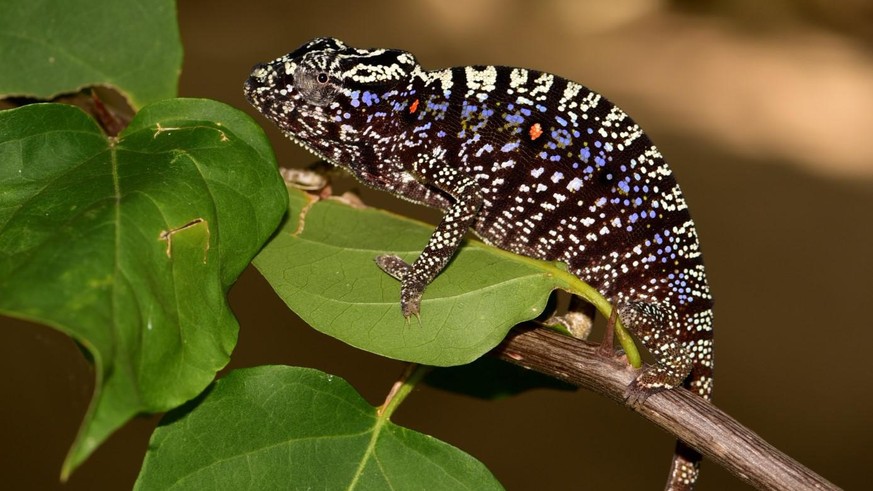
pixel 129 245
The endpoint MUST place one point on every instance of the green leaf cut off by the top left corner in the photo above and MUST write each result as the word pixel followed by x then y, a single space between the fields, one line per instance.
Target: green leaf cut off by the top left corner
pixel 51 47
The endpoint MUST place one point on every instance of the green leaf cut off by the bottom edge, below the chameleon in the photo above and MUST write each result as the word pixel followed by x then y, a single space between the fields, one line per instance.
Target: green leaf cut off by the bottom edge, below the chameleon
pixel 279 427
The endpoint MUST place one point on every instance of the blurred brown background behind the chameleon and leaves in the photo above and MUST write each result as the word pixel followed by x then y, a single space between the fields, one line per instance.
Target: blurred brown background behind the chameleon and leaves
pixel 765 111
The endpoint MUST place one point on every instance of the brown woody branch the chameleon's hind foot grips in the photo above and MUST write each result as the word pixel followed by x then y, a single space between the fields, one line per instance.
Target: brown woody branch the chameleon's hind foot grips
pixel 696 421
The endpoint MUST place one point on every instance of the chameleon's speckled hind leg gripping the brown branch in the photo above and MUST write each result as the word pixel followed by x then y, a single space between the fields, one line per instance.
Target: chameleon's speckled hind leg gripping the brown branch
pixel 659 330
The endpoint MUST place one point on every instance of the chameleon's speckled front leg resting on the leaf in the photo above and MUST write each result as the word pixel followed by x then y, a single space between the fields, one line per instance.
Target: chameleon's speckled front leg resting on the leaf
pixel 445 240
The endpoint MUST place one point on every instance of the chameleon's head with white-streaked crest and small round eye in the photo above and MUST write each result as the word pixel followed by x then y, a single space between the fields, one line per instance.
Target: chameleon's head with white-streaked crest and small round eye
pixel 318 92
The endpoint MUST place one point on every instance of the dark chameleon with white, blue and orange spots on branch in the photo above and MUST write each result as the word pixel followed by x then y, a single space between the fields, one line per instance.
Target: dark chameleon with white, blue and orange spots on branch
pixel 532 163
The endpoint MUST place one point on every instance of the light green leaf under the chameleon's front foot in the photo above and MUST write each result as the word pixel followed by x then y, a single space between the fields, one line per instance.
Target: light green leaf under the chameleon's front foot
pixel 327 275
